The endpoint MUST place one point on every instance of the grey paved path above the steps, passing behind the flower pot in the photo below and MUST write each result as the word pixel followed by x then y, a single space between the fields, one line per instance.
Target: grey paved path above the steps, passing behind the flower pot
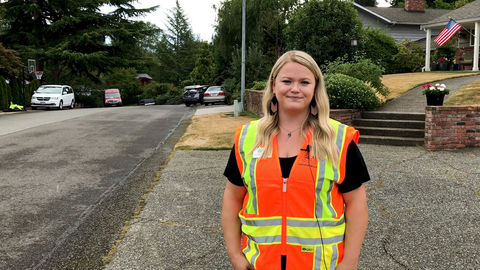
pixel 415 101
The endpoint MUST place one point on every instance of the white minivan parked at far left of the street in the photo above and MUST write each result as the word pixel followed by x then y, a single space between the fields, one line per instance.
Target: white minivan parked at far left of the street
pixel 53 96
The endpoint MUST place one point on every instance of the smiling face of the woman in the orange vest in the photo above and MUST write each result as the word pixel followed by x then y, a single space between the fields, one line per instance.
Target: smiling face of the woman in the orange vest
pixel 294 88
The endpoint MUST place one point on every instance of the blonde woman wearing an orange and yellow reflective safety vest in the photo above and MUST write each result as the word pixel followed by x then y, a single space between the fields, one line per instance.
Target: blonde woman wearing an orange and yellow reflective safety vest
pixel 295 198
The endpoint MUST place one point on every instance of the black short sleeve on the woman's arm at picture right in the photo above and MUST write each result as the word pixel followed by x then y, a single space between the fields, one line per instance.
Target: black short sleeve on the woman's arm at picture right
pixel 356 171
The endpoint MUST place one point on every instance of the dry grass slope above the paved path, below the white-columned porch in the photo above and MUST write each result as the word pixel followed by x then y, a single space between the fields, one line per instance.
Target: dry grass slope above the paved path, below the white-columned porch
pixel 401 83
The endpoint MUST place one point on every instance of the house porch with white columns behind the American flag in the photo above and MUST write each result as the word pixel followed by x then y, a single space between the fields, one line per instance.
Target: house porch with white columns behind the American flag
pixel 468 16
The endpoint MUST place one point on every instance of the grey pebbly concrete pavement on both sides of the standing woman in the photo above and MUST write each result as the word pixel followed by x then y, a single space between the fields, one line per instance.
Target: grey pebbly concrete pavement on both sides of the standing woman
pixel 424 212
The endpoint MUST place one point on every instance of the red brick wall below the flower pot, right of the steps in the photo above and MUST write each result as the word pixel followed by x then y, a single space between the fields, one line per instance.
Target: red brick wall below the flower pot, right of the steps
pixel 452 127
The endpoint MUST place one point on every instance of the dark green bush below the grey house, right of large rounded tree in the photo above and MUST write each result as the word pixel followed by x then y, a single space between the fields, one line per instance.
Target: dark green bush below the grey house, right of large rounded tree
pixel 380 48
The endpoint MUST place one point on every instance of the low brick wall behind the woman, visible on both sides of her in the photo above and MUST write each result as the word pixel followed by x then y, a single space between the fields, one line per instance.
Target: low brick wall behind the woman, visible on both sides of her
pixel 254 104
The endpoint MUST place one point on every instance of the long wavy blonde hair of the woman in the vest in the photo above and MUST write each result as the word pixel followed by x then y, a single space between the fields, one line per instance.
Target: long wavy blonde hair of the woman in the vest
pixel 323 140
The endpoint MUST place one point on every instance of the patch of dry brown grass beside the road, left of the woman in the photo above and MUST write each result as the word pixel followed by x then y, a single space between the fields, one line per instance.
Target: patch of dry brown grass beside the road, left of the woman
pixel 211 132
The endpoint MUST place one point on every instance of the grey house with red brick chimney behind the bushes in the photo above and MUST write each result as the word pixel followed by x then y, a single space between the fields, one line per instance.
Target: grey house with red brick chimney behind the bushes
pixel 400 23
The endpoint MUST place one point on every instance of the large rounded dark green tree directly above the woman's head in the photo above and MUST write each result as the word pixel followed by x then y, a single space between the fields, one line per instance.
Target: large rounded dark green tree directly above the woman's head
pixel 324 29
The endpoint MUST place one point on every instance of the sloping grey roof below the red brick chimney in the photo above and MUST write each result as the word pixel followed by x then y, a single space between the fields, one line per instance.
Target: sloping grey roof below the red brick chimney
pixel 401 16
